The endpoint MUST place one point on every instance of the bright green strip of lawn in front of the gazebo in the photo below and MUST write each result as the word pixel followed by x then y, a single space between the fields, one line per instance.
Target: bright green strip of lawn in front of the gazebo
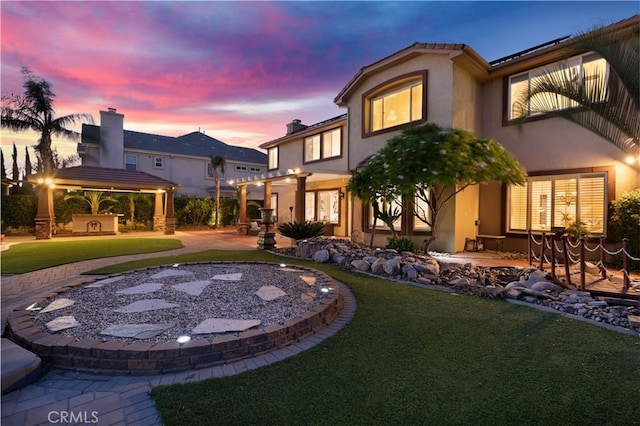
pixel 27 257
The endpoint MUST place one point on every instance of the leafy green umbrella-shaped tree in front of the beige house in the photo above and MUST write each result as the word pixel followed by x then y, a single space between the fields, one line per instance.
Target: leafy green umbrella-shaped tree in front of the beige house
pixel 434 164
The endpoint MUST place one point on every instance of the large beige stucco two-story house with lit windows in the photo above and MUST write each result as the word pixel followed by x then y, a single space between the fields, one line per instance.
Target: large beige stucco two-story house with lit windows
pixel 573 174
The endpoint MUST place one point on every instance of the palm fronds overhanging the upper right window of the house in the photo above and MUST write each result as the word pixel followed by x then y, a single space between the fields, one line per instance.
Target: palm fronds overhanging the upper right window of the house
pixel 606 104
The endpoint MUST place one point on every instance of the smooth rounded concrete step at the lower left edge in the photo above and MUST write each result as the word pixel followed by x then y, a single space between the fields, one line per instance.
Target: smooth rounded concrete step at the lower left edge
pixel 18 366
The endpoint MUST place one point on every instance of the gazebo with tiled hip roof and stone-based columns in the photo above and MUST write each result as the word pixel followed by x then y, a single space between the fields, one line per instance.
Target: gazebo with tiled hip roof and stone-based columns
pixel 103 179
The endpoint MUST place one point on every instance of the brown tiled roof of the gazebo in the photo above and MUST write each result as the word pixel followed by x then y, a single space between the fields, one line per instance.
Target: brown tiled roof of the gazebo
pixel 91 177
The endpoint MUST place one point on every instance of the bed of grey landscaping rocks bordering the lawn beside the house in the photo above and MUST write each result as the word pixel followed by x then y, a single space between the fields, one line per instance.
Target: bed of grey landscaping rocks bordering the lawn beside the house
pixel 528 285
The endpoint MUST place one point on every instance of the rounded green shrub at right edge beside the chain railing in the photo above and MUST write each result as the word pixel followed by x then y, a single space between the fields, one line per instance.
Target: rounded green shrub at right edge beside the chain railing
pixel 625 223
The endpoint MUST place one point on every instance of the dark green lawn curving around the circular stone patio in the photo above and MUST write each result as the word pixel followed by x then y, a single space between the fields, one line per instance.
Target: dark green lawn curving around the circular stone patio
pixel 413 356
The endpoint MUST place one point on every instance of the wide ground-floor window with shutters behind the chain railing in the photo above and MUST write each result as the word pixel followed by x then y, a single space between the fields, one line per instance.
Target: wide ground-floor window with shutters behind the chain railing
pixel 558 201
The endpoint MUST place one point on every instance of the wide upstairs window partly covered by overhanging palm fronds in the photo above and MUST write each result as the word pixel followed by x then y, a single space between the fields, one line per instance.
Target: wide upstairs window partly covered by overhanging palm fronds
pixel 589 70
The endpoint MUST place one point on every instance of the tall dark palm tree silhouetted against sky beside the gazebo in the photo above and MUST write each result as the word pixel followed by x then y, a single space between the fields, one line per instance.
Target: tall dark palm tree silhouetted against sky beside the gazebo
pixel 33 110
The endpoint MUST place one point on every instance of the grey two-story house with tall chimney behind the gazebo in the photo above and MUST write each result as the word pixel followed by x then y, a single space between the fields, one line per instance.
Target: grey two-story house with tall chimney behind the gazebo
pixel 184 159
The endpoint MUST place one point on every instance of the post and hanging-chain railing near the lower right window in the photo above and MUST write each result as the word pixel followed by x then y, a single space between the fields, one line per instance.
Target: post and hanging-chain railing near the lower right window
pixel 575 253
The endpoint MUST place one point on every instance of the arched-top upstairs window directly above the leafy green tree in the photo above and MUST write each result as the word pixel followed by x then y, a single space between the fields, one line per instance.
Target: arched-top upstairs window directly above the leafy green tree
pixel 394 104
